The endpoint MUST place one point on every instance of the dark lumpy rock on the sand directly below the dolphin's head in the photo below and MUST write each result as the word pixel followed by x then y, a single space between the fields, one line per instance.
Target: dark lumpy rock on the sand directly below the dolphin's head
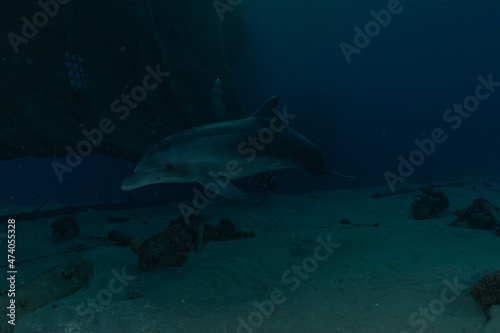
pixel 168 248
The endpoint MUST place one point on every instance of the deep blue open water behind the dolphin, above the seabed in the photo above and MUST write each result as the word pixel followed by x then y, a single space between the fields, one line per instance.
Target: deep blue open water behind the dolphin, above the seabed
pixel 362 115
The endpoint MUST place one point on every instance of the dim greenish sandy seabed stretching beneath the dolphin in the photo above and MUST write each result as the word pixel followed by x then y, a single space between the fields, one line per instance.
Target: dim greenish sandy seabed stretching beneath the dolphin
pixel 303 271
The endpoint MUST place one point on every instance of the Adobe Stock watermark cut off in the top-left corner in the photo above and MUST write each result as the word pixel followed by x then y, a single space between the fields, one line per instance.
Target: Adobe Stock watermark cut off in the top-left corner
pixel 30 28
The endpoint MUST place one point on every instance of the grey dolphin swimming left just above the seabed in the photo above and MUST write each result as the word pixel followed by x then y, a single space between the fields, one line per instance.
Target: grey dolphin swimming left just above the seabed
pixel 215 154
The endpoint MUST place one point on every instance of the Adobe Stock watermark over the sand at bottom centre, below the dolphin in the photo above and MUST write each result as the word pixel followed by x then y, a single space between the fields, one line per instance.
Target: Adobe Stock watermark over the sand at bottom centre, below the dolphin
pixel 292 280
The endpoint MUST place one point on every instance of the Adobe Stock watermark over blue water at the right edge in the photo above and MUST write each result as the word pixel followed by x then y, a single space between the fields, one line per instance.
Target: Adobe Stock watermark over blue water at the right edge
pixel 454 118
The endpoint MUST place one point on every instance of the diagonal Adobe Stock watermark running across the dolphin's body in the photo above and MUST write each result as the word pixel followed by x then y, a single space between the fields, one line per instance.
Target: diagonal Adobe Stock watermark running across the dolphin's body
pixel 249 149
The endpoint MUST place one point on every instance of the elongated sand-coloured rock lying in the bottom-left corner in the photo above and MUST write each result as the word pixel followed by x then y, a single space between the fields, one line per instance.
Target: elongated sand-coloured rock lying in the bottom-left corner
pixel 50 286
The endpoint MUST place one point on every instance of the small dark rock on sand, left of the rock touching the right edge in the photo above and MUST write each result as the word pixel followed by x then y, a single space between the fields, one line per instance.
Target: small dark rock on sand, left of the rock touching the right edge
pixel 431 203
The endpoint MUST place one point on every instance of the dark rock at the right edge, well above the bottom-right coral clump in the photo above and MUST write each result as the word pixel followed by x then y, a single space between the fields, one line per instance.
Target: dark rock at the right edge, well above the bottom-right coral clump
pixel 482 214
